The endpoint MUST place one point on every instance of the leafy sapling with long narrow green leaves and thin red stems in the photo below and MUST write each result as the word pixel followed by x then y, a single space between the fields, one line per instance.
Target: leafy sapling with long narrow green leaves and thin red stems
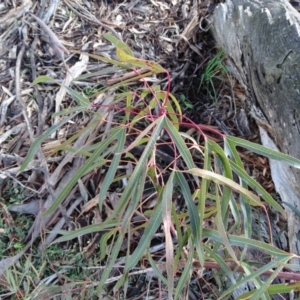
pixel 193 201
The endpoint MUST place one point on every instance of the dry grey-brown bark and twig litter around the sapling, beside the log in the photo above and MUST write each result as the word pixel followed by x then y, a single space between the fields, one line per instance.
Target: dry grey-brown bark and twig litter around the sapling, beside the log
pixel 173 33
